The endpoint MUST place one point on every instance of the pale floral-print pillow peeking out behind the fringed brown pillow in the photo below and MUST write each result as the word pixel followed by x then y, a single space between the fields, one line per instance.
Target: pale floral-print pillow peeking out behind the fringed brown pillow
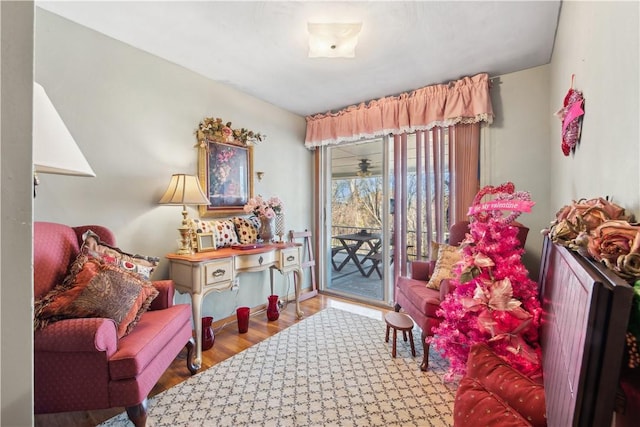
pixel 140 264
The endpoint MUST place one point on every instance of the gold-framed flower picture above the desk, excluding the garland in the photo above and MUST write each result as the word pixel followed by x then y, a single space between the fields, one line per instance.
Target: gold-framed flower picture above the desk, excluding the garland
pixel 225 171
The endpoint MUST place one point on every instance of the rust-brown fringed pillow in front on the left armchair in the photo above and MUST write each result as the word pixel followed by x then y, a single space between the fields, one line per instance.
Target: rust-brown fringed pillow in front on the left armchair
pixel 96 288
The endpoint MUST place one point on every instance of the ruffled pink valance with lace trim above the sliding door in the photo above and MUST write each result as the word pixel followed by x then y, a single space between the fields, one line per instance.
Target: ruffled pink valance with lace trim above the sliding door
pixel 464 101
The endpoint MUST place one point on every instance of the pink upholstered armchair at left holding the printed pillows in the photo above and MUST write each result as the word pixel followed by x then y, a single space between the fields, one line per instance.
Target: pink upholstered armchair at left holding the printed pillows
pixel 80 364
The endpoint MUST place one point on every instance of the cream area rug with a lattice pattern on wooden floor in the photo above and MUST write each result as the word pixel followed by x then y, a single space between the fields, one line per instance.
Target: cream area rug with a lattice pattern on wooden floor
pixel 332 368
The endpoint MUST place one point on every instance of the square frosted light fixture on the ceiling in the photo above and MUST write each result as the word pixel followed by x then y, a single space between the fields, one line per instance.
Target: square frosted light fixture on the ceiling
pixel 333 40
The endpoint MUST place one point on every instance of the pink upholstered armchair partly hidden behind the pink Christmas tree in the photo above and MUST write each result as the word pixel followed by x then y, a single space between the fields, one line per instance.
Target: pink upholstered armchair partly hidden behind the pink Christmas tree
pixel 421 302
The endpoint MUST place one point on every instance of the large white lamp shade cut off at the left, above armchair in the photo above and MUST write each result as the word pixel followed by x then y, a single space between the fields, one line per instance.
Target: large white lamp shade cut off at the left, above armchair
pixel 54 149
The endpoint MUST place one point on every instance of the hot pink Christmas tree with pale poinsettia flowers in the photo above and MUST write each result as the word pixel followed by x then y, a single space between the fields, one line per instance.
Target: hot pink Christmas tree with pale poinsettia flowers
pixel 494 301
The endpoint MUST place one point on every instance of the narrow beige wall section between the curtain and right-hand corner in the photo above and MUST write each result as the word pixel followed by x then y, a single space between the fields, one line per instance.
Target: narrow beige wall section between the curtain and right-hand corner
pixel 515 148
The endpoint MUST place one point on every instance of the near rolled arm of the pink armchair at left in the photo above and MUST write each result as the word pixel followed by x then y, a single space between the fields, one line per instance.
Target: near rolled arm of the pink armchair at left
pixel 78 335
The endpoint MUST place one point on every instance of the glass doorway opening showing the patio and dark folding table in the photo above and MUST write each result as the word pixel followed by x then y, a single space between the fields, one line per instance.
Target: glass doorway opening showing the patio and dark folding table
pixel 357 221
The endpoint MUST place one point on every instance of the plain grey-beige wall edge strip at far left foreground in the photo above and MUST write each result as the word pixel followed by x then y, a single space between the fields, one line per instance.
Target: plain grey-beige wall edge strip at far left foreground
pixel 16 199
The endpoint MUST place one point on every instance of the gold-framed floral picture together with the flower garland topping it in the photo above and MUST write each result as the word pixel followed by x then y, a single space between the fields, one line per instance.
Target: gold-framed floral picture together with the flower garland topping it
pixel 225 165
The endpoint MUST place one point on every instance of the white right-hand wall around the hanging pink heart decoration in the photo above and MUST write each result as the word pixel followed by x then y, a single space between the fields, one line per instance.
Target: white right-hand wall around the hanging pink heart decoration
pixel 598 42
